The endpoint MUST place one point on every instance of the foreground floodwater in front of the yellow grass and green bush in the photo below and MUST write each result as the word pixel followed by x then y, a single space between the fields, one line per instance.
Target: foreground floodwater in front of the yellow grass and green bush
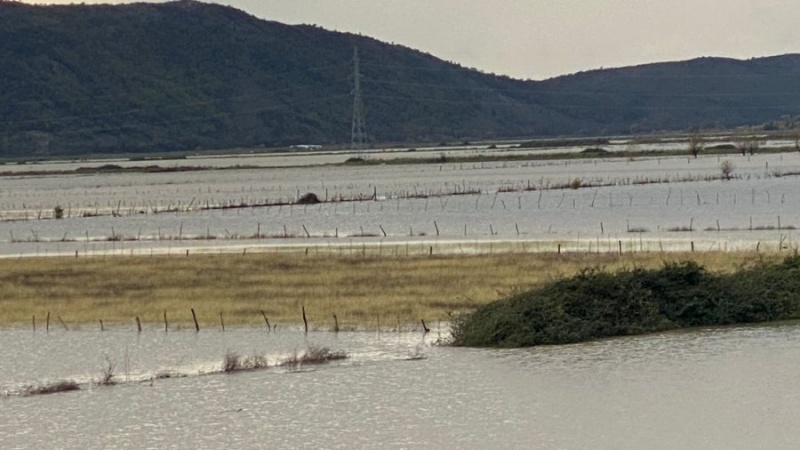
pixel 724 388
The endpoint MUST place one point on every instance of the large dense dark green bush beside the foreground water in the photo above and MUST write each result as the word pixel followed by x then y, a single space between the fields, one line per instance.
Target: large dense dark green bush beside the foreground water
pixel 597 304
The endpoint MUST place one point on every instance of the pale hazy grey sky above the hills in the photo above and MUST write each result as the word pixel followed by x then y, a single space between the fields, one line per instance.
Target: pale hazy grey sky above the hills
pixel 543 38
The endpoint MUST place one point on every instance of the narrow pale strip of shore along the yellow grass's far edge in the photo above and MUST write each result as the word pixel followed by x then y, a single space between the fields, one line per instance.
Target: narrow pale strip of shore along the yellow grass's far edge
pixel 757 241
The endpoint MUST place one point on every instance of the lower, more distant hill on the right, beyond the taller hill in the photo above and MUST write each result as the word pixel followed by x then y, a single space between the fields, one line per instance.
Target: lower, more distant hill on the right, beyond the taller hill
pixel 704 92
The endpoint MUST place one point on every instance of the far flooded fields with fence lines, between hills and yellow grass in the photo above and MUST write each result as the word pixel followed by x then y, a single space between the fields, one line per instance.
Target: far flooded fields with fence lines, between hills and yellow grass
pixel 648 204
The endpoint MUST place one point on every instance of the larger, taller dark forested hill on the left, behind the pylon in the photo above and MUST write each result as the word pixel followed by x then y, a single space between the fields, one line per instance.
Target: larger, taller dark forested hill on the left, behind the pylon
pixel 187 75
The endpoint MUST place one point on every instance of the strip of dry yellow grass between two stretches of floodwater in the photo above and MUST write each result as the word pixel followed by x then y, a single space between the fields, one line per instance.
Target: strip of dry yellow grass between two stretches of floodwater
pixel 401 290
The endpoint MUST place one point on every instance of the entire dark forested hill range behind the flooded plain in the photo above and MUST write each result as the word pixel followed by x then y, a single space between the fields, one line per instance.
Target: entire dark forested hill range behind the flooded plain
pixel 187 75
